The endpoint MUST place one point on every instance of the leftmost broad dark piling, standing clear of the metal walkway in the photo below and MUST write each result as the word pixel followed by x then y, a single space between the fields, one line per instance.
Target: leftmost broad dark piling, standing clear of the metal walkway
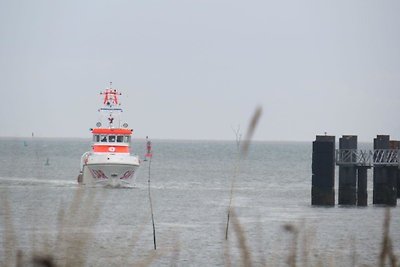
pixel 323 171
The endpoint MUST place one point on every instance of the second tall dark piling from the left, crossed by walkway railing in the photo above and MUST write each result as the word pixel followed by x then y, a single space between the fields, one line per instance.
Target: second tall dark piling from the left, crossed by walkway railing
pixel 348 171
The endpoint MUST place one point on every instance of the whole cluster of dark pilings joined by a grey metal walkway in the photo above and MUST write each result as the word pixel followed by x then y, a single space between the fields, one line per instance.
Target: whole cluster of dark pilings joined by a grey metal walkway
pixel 353 169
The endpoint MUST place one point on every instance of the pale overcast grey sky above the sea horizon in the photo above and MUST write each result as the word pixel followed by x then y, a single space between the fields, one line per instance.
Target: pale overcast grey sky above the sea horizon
pixel 192 69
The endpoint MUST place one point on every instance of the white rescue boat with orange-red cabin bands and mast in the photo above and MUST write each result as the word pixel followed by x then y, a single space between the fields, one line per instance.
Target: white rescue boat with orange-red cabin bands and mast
pixel 110 162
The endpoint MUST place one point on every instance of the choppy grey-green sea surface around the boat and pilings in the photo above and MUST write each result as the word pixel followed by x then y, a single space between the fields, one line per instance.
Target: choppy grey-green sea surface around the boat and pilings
pixel 43 211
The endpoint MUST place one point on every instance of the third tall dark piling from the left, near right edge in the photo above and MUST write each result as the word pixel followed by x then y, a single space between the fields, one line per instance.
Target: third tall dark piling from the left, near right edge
pixel 385 176
